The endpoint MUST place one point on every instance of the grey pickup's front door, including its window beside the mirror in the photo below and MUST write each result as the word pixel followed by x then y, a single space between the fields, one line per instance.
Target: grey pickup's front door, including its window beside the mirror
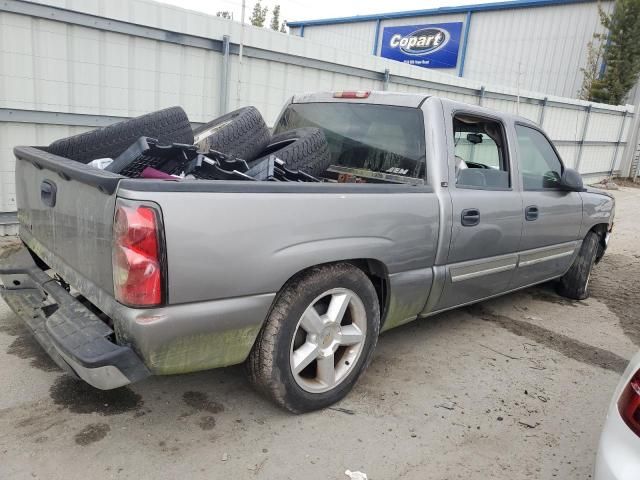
pixel 552 217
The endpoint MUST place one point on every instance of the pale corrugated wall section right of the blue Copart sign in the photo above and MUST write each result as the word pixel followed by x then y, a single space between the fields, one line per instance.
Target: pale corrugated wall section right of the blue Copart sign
pixel 539 49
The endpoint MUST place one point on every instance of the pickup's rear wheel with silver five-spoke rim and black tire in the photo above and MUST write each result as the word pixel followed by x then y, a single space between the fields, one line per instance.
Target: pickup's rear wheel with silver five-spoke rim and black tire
pixel 318 338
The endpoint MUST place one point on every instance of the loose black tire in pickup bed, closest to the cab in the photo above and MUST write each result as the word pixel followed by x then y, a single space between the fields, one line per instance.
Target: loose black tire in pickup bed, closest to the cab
pixel 301 149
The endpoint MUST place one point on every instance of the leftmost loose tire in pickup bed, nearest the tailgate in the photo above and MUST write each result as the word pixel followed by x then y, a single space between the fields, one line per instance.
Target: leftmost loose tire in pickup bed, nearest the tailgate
pixel 169 125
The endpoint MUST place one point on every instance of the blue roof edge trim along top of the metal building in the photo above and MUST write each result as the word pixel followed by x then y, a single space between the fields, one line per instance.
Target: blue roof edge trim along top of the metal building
pixel 438 11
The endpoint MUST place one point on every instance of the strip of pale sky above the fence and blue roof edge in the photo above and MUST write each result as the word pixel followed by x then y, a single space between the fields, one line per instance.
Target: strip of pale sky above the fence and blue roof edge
pixel 307 10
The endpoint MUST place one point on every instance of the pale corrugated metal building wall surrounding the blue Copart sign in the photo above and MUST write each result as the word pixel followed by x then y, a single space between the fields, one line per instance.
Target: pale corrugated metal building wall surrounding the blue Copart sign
pixel 540 49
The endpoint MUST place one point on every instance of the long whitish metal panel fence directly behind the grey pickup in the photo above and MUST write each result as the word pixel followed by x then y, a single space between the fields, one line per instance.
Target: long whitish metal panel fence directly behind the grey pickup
pixel 67 70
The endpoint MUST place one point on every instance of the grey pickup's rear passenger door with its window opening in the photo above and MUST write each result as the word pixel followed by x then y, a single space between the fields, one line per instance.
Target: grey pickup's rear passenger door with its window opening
pixel 486 207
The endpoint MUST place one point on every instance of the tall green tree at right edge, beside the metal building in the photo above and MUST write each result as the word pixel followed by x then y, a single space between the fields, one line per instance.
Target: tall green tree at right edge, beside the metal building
pixel 621 53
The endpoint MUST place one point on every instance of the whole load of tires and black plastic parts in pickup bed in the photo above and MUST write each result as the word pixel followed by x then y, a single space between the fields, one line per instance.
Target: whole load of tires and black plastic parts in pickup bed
pixel 235 146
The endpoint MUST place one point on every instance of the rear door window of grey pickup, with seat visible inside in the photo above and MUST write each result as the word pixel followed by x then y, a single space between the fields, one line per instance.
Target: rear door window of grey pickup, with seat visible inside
pixel 480 154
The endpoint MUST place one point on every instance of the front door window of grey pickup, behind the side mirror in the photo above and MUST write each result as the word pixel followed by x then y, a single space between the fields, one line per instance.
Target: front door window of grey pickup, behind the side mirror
pixel 541 168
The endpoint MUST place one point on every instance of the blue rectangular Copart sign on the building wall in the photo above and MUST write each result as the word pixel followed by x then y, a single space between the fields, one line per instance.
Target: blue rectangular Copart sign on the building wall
pixel 430 46
